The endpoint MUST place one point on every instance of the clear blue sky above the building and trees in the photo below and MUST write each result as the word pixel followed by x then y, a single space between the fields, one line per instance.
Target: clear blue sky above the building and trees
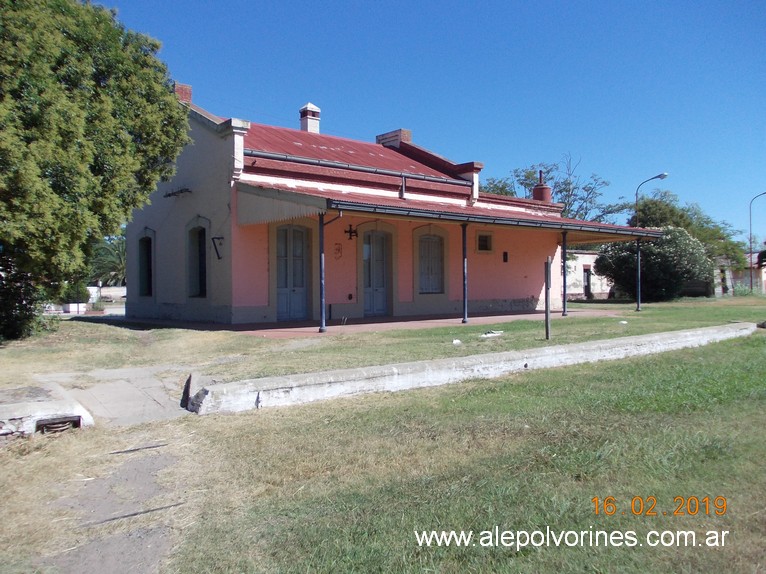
pixel 631 89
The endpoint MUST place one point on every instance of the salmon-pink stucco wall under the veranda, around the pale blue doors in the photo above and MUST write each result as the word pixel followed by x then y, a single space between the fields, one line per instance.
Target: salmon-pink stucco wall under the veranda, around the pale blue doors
pixel 490 278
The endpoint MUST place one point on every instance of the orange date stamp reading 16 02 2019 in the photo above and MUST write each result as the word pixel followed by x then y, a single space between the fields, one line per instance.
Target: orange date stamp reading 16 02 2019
pixel 647 506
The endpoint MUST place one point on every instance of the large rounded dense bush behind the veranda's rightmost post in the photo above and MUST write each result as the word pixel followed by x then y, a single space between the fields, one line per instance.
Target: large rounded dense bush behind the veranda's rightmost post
pixel 667 265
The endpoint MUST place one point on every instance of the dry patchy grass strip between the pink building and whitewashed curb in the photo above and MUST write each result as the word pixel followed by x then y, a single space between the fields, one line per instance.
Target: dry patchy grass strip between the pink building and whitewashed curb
pixel 80 345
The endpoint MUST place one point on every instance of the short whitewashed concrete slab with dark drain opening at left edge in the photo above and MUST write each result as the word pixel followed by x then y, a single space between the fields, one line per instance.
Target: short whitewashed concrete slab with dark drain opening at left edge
pixel 25 409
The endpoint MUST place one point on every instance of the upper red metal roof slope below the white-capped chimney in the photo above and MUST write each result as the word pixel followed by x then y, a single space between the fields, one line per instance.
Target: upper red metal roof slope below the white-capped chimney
pixel 332 148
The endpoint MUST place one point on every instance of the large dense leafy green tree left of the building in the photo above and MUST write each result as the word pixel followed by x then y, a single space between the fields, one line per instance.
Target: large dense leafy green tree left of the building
pixel 88 126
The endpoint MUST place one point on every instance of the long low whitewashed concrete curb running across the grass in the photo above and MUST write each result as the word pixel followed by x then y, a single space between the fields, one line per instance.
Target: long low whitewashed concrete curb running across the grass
pixel 309 387
